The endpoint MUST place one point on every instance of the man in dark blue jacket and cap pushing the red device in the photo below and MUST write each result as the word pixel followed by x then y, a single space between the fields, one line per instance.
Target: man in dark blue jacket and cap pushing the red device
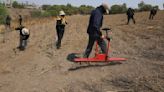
pixel 95 23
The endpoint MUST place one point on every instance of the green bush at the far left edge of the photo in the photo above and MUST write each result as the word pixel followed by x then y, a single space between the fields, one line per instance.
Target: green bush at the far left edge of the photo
pixel 3 13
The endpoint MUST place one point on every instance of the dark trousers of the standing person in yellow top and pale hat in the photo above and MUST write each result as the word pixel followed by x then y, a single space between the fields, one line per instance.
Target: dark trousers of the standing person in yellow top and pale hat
pixel 60 33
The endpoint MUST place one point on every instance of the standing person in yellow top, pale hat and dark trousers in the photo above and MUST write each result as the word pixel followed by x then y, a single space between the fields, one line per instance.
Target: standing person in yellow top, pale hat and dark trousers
pixel 60 28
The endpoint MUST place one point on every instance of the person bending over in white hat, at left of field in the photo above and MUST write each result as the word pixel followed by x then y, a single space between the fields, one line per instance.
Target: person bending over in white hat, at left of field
pixel 24 36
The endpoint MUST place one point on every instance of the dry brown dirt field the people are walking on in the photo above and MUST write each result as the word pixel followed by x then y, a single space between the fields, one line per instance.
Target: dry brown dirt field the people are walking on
pixel 43 68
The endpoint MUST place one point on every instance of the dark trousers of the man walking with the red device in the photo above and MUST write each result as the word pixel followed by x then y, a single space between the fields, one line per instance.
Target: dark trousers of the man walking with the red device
pixel 91 42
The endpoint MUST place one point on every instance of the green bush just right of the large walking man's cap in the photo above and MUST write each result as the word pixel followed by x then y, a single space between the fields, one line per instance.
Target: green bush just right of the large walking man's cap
pixel 118 9
